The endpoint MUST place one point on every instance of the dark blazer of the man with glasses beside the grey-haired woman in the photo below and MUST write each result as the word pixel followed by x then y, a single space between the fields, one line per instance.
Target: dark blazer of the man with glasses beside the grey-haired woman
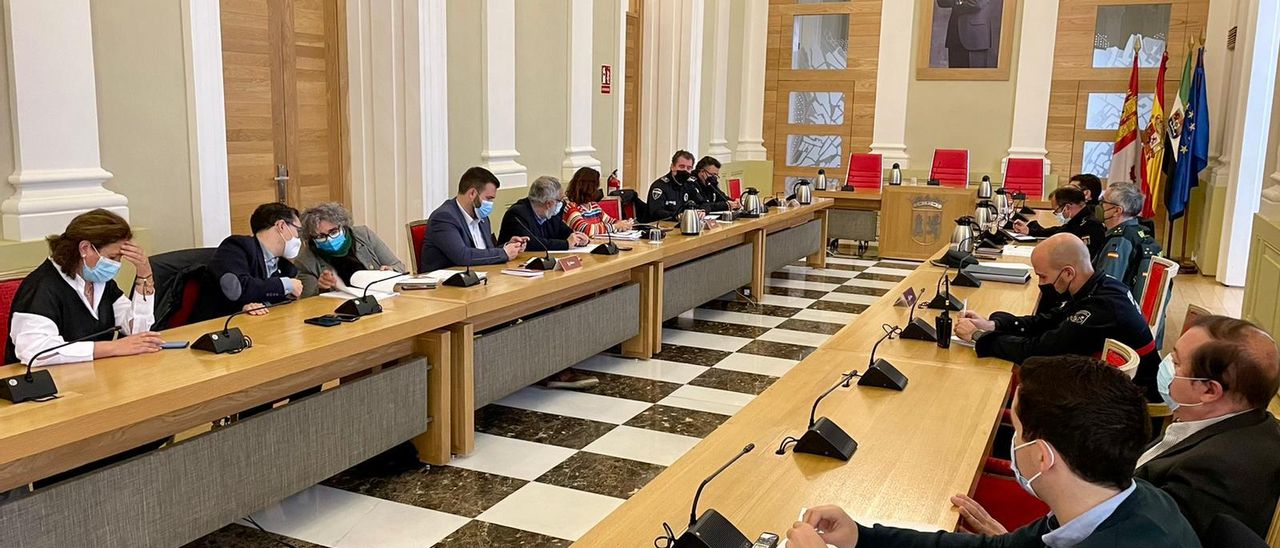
pixel 240 272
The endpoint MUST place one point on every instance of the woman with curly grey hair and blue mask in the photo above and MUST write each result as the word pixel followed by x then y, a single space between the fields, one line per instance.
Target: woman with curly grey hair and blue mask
pixel 336 250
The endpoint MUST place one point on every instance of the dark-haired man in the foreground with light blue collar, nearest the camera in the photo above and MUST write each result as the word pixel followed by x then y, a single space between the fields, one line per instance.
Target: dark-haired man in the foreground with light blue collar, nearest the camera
pixel 1078 430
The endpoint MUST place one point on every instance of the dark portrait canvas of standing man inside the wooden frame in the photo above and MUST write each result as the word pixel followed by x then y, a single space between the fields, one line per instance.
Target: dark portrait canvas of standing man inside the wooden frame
pixel 973 33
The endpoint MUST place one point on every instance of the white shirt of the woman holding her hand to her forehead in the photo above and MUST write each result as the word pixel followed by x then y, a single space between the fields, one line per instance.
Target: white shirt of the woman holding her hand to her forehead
pixel 33 334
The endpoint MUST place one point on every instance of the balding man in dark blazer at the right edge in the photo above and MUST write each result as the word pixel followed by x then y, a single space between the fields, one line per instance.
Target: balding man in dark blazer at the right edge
pixel 1219 458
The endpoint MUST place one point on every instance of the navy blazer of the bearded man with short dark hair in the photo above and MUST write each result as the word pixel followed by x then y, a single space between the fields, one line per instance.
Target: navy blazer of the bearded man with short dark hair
pixel 449 241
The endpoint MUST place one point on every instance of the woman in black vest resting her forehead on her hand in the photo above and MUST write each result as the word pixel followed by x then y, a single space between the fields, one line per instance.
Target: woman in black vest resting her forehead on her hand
pixel 74 295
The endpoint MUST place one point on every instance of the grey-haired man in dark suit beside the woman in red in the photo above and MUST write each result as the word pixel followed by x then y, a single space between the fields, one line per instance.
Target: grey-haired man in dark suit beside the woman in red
pixel 537 218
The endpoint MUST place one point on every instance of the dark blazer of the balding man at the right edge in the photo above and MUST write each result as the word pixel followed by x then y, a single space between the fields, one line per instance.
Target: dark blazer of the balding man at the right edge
pixel 1231 468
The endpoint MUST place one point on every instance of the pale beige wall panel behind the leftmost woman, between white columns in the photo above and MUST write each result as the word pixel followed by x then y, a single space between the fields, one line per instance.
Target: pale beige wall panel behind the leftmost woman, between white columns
pixel 143 115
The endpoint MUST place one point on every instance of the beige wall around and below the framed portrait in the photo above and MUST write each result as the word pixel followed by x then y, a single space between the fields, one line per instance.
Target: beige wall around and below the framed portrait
pixel 962 115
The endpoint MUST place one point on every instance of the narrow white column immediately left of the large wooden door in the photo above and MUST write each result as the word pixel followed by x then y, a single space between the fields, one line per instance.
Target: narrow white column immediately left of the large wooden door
pixel 207 122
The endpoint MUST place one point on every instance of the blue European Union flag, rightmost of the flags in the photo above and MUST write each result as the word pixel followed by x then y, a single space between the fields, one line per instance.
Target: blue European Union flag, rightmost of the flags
pixel 1194 148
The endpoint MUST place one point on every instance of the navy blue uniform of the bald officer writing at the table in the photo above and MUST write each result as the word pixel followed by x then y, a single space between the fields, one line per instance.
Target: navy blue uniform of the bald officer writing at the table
pixel 1101 310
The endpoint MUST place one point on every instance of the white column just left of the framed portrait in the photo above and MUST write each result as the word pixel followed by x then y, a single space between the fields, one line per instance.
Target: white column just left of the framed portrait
pixel 893 80
